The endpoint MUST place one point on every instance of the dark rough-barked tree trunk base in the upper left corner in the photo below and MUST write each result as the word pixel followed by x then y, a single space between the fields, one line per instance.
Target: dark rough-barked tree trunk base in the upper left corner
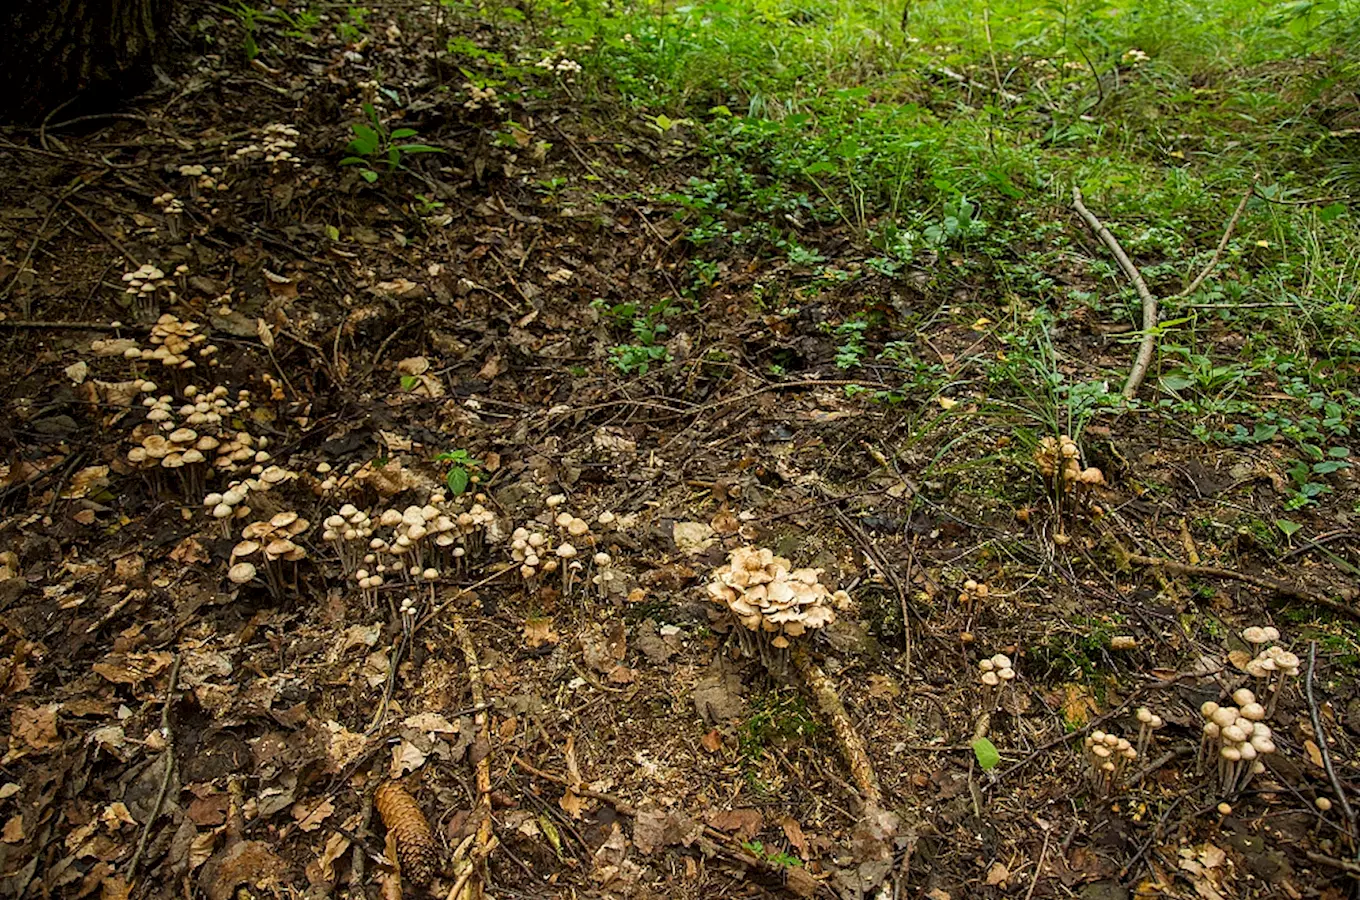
pixel 58 51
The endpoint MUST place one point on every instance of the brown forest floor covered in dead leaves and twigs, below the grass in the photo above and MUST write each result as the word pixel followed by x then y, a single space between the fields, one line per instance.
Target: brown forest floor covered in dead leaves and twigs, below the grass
pixel 564 312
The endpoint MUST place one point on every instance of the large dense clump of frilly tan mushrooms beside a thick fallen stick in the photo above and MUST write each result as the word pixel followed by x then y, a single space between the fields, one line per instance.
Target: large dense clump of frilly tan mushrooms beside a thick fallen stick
pixel 772 602
